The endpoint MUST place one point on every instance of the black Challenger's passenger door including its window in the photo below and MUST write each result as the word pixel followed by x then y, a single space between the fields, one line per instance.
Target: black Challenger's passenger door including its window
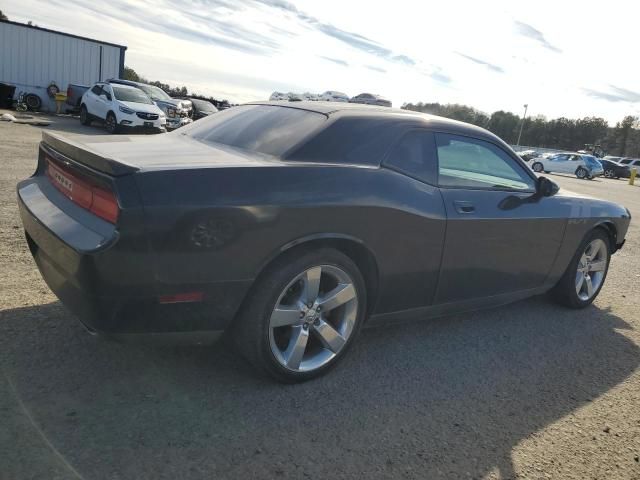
pixel 500 237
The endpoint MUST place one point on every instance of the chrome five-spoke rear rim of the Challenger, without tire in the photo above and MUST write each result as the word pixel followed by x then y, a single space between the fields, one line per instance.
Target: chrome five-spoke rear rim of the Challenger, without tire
pixel 313 318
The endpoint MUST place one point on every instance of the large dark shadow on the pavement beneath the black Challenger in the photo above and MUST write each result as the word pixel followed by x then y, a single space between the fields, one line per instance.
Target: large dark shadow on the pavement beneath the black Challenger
pixel 445 398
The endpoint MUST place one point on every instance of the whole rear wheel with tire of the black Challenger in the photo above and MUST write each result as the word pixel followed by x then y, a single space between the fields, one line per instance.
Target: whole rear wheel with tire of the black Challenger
pixel 302 316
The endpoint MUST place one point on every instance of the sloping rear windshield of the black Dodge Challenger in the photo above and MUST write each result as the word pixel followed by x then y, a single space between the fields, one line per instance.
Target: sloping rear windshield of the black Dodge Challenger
pixel 259 128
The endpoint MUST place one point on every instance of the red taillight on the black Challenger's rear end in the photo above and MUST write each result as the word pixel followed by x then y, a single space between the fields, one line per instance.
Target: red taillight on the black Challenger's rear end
pixel 83 192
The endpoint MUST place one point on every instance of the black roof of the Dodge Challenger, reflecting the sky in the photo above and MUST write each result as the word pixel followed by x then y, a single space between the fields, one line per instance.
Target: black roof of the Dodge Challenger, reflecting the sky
pixel 342 109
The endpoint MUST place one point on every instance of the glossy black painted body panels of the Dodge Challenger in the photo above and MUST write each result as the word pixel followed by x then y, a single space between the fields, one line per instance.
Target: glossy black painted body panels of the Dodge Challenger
pixel 215 221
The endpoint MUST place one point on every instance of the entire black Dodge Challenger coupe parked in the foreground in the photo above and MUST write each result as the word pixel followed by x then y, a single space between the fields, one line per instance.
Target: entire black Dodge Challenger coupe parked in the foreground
pixel 291 226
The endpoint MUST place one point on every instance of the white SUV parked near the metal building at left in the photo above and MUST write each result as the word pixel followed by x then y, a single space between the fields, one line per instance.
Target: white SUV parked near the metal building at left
pixel 120 107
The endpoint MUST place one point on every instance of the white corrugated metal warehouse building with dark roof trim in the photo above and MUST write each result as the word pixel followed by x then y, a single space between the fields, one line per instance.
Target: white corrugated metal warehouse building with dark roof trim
pixel 31 58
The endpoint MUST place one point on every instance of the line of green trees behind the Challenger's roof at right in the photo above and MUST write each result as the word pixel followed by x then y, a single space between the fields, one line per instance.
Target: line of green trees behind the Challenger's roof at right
pixel 562 133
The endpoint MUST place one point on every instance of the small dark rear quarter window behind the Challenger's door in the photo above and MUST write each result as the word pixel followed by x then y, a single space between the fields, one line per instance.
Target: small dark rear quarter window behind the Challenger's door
pixel 414 155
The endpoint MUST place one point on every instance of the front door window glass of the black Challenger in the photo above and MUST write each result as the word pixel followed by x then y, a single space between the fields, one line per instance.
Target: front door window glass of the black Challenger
pixel 469 163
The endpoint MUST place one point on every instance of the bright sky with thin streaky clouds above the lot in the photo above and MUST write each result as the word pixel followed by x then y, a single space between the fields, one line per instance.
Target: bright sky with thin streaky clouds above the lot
pixel 562 58
